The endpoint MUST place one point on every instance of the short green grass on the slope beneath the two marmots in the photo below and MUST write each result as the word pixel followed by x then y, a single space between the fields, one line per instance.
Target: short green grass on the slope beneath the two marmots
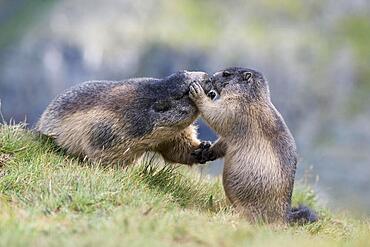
pixel 50 199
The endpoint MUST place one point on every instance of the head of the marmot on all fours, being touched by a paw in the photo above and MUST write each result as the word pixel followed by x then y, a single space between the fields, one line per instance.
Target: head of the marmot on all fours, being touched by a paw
pixel 173 104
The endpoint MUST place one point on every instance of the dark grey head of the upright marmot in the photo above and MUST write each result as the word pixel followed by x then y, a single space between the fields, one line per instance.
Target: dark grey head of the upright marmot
pixel 242 81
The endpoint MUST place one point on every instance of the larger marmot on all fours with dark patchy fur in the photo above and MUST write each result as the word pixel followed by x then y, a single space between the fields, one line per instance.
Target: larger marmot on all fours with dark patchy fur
pixel 116 122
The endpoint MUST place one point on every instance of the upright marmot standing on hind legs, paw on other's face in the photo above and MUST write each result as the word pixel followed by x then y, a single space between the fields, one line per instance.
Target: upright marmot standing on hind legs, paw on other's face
pixel 260 152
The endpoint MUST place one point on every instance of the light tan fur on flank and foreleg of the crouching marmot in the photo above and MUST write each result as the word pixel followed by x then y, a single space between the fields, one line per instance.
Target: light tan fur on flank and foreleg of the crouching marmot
pixel 176 148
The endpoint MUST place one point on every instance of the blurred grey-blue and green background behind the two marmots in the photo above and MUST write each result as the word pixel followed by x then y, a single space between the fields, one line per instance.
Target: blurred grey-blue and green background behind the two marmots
pixel 315 54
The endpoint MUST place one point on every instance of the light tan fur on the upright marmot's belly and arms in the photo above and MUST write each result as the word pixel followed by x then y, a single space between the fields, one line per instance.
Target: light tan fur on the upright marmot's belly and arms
pixel 253 178
